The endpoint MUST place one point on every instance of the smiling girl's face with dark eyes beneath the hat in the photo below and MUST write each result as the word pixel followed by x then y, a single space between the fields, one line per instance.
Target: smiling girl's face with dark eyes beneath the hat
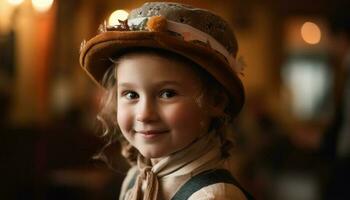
pixel 158 109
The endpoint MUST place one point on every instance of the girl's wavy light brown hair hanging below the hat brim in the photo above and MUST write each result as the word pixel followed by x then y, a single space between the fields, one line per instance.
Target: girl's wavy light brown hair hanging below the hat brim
pixel 108 112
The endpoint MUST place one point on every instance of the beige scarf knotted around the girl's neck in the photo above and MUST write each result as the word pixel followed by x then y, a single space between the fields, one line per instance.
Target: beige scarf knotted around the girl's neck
pixel 146 184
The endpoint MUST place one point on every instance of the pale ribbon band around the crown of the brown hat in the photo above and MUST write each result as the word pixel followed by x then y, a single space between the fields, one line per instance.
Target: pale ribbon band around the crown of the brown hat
pixel 190 33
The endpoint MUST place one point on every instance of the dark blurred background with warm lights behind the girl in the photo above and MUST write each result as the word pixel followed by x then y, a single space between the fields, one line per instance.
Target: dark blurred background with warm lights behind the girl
pixel 292 135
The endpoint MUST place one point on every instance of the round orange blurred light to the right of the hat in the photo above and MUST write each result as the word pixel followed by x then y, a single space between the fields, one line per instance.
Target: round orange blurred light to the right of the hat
pixel 311 33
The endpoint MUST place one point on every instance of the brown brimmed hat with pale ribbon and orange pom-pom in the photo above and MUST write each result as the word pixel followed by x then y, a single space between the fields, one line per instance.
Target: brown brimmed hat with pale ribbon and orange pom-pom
pixel 196 34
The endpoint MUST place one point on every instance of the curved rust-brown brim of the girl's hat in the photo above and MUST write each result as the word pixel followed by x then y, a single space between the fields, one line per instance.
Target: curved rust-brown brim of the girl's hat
pixel 95 57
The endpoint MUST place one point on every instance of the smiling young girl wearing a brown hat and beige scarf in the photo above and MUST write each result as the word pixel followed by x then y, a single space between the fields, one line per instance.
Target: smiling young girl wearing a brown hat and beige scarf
pixel 172 90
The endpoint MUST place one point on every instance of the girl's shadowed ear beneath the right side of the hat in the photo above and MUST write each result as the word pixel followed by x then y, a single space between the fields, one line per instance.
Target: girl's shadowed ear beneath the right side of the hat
pixel 218 102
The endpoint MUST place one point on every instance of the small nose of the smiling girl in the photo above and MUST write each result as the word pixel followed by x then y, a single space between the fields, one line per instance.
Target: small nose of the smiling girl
pixel 147 111
